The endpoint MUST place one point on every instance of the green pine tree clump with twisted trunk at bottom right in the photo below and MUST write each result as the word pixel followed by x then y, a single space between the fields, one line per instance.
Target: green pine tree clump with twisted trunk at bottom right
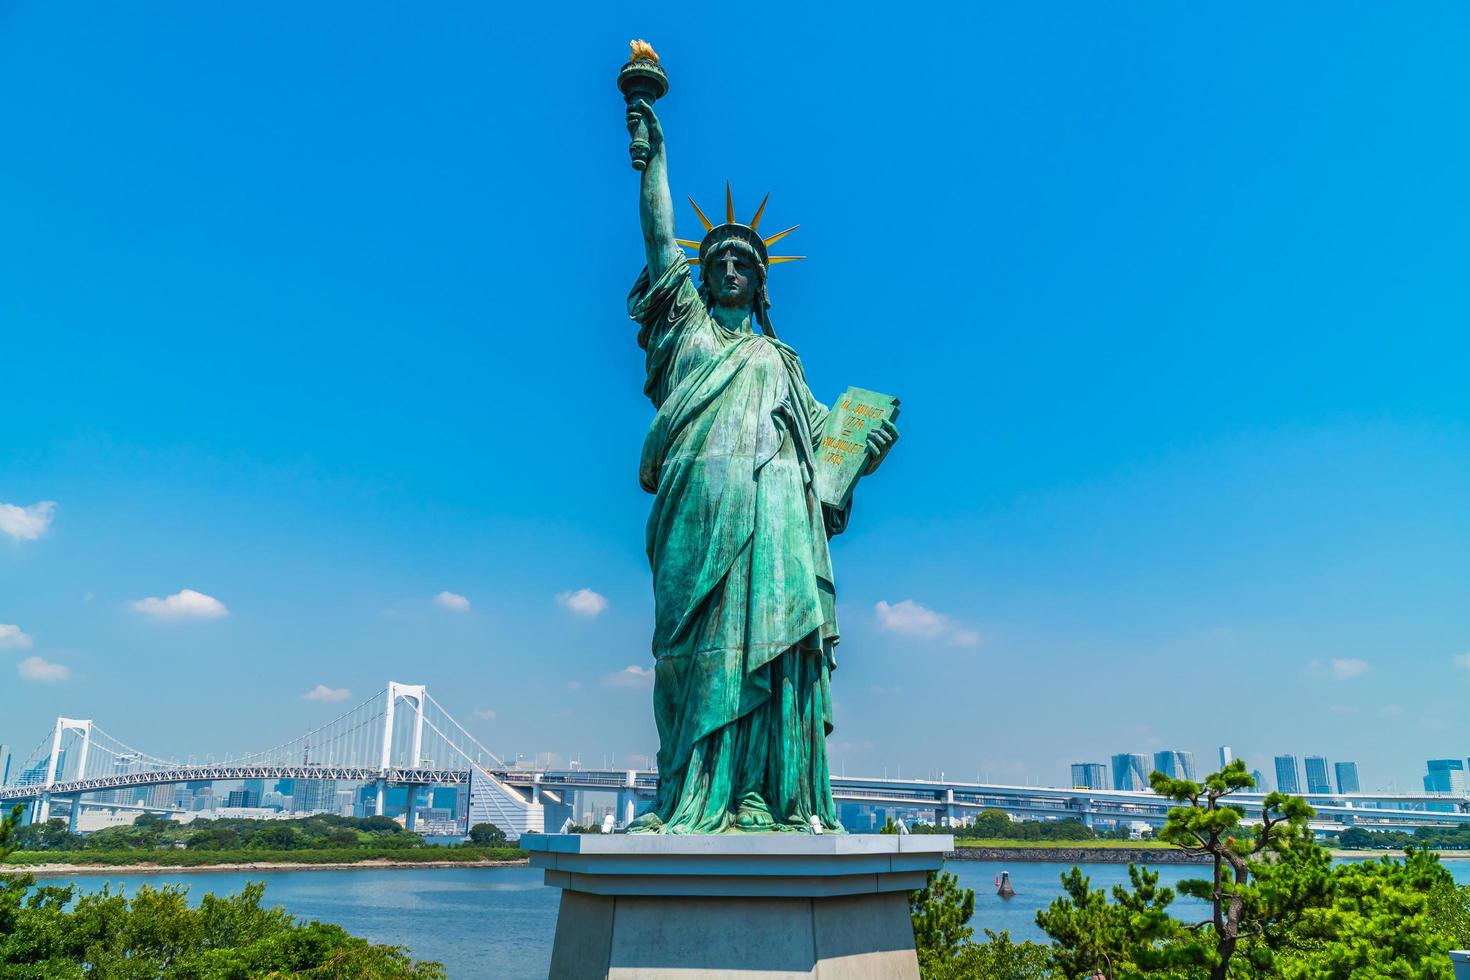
pixel 1278 906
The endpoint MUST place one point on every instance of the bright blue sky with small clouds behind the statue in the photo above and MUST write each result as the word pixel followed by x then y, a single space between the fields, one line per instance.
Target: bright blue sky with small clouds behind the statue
pixel 320 314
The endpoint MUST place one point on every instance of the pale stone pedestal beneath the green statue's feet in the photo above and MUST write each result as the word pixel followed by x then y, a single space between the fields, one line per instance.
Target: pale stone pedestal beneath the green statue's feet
pixel 758 907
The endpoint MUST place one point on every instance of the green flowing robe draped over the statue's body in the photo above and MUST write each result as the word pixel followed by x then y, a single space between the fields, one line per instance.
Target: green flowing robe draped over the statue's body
pixel 745 610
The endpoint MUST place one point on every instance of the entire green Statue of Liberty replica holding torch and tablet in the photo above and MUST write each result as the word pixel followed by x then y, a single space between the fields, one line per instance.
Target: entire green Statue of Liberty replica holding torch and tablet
pixel 752 477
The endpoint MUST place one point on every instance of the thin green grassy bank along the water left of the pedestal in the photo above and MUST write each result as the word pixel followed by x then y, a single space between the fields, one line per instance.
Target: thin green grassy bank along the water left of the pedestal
pixel 180 859
